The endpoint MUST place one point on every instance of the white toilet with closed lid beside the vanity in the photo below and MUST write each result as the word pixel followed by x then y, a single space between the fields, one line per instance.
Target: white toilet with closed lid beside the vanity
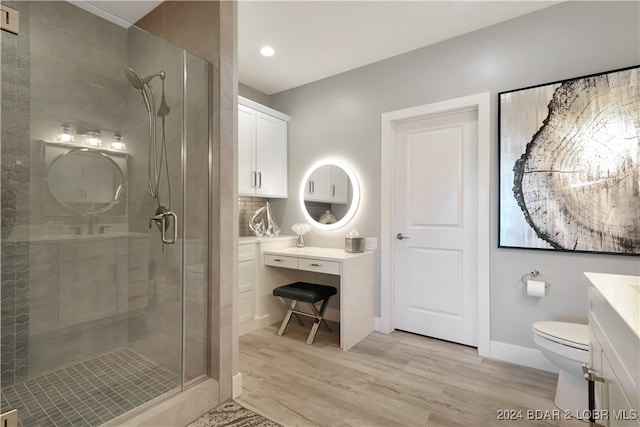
pixel 566 345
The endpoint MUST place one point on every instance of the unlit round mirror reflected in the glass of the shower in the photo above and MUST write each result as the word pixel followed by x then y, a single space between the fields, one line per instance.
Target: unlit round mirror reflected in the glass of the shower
pixel 86 181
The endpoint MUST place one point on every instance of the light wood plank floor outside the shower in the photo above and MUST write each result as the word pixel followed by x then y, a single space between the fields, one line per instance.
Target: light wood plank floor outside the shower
pixel 398 379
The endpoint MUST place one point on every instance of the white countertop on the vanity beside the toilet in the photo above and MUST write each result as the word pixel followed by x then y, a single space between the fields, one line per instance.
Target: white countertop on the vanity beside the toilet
pixel 622 293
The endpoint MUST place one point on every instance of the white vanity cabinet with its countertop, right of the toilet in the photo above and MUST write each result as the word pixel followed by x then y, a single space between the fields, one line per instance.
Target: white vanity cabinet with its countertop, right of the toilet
pixel 614 334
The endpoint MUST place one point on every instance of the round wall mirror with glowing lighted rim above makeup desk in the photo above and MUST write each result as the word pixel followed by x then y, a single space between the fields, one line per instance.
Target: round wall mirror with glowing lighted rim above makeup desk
pixel 329 194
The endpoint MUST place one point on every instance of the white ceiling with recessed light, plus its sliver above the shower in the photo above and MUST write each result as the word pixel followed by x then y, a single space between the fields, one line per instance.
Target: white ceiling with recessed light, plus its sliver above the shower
pixel 317 39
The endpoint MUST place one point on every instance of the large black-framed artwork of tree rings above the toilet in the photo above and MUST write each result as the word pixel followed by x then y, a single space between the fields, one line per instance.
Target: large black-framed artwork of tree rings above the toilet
pixel 570 164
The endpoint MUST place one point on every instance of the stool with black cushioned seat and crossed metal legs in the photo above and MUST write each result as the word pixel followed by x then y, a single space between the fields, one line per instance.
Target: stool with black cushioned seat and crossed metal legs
pixel 309 293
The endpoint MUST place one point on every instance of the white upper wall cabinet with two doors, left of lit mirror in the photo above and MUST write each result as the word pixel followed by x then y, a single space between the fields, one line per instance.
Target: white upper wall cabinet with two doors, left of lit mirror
pixel 262 150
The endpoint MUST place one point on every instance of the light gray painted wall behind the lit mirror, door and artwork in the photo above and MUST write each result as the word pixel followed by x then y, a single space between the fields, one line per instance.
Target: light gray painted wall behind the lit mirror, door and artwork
pixel 340 116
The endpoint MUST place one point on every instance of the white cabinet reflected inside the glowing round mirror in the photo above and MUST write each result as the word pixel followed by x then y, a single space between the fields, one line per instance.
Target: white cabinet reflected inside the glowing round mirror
pixel 329 184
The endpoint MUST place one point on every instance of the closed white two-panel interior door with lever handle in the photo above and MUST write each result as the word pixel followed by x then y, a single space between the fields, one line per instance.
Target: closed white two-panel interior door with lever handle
pixel 435 207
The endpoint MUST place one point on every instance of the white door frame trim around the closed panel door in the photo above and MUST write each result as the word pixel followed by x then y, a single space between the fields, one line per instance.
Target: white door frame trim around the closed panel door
pixel 482 103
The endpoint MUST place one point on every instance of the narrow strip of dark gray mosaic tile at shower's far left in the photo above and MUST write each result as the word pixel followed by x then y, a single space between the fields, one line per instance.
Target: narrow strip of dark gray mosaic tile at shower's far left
pixel 15 181
